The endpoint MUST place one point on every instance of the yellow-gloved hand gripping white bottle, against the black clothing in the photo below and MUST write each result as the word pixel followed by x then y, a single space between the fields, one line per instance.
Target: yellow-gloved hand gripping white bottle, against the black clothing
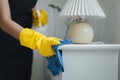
pixel 40 18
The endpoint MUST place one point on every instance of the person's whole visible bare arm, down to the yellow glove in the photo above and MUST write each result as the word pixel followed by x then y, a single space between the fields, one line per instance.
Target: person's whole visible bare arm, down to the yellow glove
pixel 6 22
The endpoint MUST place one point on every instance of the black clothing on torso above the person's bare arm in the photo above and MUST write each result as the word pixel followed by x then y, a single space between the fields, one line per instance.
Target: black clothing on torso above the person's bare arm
pixel 21 10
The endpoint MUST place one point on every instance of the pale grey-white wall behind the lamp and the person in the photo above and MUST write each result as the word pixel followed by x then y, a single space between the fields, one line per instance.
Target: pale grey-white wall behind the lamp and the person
pixel 106 30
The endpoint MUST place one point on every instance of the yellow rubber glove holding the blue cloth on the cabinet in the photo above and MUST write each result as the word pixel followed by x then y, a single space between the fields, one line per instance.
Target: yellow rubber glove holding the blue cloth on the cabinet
pixel 34 40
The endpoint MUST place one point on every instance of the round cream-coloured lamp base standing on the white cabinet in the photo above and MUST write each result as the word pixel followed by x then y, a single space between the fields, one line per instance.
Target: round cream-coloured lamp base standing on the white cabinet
pixel 81 33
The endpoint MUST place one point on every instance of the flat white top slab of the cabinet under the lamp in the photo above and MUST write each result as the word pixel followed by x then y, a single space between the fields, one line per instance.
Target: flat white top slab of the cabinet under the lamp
pixel 90 47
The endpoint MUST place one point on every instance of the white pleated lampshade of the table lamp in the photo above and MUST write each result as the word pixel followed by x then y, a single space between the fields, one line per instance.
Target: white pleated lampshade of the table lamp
pixel 82 8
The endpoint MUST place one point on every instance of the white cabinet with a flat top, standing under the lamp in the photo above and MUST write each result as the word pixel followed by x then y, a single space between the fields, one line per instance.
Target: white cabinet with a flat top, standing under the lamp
pixel 90 61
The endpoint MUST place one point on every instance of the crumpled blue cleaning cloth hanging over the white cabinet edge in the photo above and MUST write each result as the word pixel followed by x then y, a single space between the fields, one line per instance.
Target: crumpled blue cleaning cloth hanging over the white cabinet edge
pixel 55 63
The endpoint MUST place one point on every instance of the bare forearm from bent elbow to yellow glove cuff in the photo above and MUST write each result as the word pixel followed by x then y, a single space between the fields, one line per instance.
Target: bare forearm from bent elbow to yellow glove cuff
pixel 11 27
